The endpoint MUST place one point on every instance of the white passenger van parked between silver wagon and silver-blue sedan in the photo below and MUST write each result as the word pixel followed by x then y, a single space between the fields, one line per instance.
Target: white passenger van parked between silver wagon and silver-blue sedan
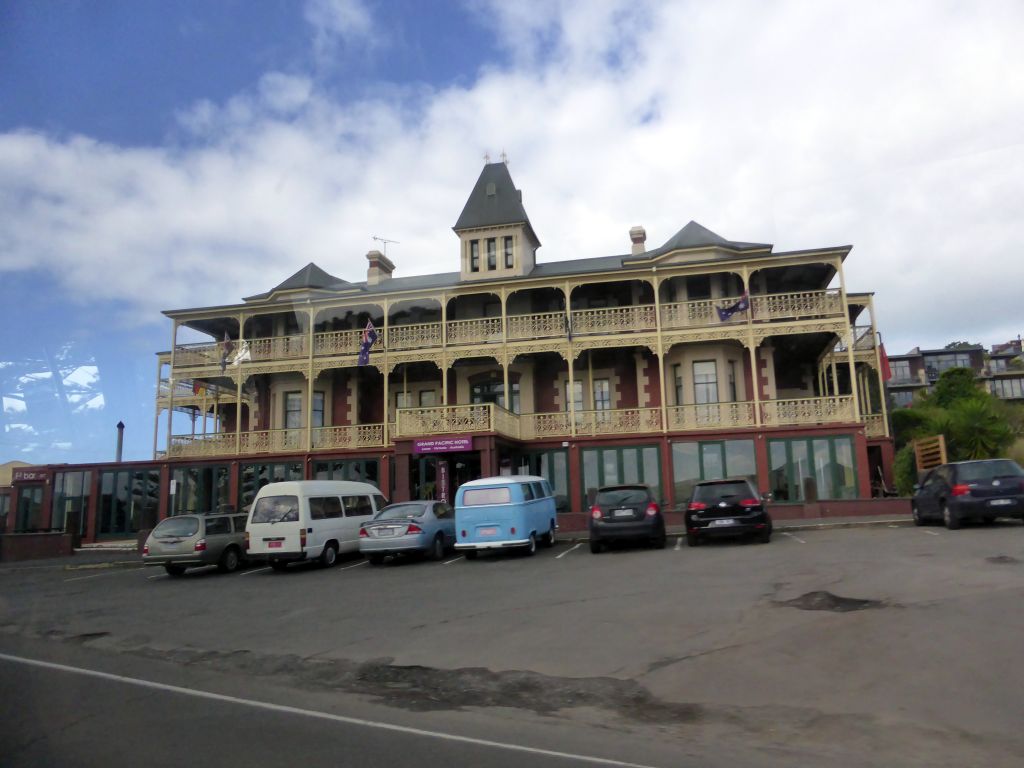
pixel 310 521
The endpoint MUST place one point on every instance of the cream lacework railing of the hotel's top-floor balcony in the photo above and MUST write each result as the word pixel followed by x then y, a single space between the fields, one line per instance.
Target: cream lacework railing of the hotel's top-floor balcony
pixel 576 324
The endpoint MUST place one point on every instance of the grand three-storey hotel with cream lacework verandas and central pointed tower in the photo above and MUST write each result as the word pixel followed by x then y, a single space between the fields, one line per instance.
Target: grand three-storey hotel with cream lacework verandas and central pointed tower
pixel 699 359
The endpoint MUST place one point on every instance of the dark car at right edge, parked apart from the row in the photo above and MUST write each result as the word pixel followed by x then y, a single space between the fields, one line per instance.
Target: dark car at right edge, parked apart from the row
pixel 979 490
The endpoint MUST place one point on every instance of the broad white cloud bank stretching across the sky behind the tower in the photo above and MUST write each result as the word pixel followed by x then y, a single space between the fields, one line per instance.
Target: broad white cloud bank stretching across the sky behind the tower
pixel 802 124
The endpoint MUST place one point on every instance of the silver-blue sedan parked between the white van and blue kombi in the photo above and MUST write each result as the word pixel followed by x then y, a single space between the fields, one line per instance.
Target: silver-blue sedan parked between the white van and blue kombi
pixel 423 528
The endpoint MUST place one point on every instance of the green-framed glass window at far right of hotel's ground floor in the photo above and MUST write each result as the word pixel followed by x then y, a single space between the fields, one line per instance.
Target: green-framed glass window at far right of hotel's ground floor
pixel 809 470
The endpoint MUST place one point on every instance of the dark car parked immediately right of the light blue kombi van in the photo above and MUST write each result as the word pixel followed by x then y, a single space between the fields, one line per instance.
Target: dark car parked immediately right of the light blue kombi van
pixel 625 514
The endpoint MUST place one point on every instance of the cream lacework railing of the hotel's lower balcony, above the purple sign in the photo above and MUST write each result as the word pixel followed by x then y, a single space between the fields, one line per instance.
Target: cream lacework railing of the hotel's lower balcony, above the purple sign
pixel 481 418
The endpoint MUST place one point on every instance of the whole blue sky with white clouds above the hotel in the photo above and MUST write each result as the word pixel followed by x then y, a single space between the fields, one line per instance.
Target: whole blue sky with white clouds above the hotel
pixel 158 156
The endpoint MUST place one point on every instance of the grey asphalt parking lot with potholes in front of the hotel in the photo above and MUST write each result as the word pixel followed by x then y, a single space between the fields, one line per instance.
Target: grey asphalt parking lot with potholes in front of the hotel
pixel 875 647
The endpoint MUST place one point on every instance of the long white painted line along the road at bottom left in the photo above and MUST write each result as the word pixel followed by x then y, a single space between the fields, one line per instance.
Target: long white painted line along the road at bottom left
pixel 285 710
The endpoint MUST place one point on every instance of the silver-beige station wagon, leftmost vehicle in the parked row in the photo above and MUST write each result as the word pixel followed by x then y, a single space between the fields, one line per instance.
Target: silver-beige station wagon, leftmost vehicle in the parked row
pixel 186 541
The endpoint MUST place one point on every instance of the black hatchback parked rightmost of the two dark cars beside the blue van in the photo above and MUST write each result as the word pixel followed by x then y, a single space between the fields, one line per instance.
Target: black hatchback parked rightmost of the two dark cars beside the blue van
pixel 727 508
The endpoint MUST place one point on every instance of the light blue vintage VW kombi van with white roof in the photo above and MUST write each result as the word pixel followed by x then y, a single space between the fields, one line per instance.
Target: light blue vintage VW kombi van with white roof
pixel 502 513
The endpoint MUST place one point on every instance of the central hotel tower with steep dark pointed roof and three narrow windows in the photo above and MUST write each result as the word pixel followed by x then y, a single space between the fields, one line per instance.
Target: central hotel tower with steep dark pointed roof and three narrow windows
pixel 496 239
